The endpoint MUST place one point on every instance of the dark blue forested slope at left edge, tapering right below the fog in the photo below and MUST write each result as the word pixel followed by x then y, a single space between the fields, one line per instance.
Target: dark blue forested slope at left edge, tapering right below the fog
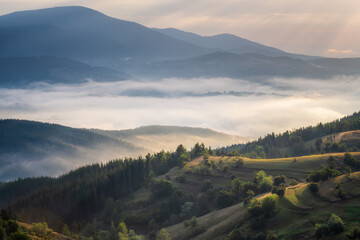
pixel 40 149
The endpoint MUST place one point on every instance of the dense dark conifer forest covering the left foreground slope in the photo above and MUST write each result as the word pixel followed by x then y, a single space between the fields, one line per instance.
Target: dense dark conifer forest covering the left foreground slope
pixel 78 195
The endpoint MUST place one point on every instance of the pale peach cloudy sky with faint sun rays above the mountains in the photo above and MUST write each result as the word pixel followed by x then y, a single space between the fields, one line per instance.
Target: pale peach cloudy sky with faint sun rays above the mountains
pixel 317 27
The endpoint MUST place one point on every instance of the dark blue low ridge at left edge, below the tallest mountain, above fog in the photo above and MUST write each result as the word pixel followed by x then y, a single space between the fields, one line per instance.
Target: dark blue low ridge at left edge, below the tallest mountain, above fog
pixel 21 71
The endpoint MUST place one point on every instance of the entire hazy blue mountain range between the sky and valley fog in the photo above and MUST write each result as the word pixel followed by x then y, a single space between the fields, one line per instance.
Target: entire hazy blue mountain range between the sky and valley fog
pixel 79 43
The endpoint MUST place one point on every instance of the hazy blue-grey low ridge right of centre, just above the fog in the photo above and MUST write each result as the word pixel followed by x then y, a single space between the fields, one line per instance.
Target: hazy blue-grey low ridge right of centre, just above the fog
pixel 224 64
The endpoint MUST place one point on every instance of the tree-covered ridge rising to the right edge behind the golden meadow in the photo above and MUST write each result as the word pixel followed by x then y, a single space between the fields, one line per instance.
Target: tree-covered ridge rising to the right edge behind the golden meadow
pixel 272 145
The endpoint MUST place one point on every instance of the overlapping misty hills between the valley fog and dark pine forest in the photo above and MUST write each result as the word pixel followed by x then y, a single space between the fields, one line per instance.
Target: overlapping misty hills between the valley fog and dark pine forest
pixel 30 148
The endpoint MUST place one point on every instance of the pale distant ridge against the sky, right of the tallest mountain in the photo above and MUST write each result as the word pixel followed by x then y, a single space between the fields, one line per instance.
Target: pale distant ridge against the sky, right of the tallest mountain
pixel 228 42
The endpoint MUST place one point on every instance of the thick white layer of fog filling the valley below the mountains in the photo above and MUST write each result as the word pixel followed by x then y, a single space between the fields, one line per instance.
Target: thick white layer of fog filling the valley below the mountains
pixel 233 106
